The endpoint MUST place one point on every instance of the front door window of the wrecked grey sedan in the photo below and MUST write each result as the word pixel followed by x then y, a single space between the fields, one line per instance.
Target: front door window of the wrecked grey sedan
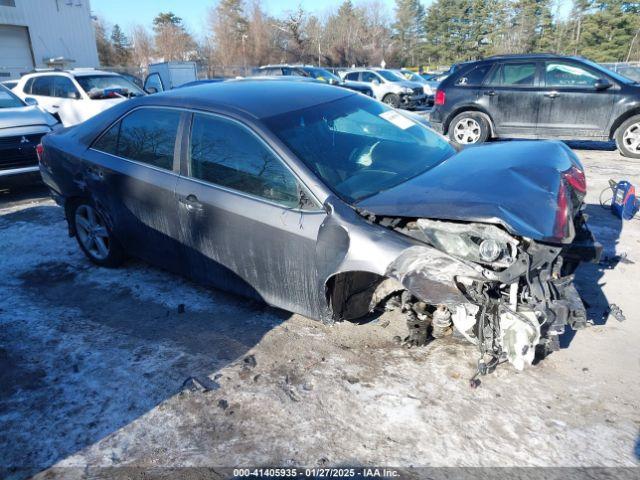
pixel 225 153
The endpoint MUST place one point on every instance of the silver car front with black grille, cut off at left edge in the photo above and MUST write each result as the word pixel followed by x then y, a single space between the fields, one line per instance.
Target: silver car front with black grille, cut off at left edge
pixel 21 129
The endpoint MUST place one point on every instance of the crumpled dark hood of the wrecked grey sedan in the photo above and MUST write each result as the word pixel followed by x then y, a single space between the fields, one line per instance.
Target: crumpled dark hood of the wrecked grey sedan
pixel 514 184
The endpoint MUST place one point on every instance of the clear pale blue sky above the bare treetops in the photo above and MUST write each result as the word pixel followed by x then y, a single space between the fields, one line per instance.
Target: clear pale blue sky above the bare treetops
pixel 126 13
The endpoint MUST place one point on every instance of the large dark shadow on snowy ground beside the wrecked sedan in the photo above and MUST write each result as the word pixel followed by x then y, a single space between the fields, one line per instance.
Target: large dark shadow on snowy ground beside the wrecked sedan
pixel 79 359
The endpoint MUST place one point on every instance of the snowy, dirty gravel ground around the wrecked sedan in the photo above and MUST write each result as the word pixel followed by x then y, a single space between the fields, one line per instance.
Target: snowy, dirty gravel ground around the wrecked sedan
pixel 105 368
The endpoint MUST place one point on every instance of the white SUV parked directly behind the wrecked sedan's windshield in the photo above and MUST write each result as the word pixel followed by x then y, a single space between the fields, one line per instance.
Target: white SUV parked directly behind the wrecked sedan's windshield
pixel 389 88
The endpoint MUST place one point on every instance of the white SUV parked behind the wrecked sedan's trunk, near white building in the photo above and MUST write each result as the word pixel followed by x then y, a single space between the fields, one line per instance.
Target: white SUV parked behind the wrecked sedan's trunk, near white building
pixel 76 95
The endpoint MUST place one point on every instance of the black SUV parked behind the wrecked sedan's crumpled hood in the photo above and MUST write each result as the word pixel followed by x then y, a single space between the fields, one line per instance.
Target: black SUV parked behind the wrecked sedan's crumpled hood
pixel 538 96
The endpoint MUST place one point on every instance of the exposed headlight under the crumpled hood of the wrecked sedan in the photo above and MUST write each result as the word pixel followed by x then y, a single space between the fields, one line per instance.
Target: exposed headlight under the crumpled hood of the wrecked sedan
pixel 480 243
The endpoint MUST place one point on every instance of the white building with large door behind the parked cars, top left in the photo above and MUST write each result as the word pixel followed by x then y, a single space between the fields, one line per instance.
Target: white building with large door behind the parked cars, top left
pixel 45 33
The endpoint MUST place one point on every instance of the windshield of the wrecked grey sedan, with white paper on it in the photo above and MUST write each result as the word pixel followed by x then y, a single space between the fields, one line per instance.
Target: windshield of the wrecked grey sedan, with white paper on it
pixel 358 146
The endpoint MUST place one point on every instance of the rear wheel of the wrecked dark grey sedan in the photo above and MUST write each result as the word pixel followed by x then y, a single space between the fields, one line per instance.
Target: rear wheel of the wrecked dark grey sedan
pixel 94 235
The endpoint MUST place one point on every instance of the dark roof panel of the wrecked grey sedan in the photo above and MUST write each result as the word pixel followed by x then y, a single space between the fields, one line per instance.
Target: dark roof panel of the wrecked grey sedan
pixel 258 98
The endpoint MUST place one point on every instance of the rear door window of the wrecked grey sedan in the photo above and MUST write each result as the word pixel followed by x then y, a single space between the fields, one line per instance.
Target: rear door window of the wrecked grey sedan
pixel 147 135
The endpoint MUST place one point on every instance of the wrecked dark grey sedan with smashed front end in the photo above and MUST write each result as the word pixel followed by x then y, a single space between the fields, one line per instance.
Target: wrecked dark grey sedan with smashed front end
pixel 327 203
